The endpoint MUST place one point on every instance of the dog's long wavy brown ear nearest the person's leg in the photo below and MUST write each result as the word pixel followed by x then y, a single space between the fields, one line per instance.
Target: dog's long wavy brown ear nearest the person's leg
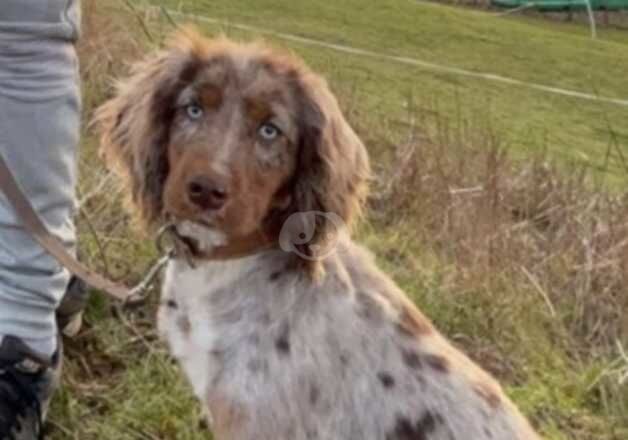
pixel 135 124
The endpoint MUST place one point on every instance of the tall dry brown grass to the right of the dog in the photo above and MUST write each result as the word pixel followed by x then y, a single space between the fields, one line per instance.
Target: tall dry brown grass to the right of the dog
pixel 540 225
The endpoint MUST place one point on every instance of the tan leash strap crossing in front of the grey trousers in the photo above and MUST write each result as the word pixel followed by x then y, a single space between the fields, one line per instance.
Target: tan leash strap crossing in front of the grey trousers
pixel 33 224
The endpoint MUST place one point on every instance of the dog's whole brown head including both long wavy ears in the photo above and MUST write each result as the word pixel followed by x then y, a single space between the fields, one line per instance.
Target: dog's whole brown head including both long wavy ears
pixel 228 140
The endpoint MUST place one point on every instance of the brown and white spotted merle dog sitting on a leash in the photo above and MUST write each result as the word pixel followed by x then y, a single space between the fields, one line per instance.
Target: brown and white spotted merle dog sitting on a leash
pixel 285 327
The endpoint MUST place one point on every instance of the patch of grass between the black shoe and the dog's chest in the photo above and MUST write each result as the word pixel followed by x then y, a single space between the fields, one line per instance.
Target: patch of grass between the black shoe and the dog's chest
pixel 114 397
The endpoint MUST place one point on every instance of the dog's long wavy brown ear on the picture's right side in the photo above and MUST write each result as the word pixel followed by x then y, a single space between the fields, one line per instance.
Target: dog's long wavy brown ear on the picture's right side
pixel 333 166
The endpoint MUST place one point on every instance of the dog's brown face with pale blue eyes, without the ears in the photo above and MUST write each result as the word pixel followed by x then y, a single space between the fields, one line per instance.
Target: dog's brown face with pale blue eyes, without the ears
pixel 232 147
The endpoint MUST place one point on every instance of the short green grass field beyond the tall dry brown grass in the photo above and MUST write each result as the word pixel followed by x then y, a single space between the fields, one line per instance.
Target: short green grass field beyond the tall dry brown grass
pixel 540 52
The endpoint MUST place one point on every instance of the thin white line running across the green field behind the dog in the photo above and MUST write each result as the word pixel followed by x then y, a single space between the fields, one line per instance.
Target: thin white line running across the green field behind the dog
pixel 405 60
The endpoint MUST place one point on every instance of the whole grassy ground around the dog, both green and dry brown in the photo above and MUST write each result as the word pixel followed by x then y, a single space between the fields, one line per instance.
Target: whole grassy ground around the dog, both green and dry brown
pixel 500 209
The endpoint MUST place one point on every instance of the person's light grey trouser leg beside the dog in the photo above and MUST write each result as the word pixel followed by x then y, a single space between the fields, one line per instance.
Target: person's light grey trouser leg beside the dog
pixel 39 129
